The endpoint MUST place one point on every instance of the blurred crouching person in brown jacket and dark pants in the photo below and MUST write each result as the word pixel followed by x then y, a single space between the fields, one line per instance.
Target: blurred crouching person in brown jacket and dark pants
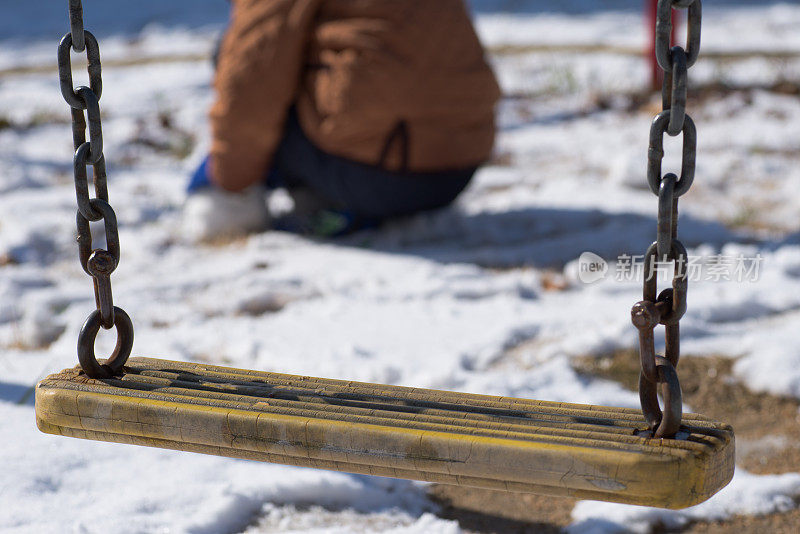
pixel 363 110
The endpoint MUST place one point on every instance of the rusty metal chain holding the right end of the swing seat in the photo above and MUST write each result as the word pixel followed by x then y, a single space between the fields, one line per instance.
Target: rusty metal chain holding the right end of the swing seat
pixel 669 306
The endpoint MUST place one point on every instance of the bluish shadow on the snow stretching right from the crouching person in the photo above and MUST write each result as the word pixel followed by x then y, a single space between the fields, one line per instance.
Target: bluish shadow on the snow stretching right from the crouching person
pixel 535 237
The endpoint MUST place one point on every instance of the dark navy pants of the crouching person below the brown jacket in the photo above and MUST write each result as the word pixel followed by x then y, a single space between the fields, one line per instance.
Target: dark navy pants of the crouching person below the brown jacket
pixel 368 191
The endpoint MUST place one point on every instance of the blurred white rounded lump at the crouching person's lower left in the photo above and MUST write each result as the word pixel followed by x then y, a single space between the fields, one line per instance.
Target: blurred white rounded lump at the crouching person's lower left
pixel 211 214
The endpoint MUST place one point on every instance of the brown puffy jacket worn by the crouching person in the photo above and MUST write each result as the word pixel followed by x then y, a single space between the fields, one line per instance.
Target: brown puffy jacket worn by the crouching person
pixel 358 72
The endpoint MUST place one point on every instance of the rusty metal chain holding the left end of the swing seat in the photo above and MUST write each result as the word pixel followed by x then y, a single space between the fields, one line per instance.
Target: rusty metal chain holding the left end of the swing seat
pixel 98 263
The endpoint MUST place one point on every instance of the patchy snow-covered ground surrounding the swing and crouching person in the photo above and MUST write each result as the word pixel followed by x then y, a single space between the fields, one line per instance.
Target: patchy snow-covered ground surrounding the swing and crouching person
pixel 457 299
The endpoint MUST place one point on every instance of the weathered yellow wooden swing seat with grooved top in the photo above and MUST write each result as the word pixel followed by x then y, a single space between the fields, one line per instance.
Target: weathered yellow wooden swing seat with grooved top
pixel 583 451
